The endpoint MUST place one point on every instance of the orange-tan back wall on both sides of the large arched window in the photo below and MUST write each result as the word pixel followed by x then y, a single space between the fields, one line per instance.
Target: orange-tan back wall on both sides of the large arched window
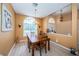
pixel 19 20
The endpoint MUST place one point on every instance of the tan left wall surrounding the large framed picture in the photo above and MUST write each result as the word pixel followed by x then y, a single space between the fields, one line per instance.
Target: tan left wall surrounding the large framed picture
pixel 7 38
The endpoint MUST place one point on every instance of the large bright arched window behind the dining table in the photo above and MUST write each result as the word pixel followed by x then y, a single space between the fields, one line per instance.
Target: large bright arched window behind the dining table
pixel 29 26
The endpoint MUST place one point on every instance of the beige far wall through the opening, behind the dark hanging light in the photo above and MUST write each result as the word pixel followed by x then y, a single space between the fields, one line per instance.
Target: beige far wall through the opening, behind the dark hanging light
pixel 64 27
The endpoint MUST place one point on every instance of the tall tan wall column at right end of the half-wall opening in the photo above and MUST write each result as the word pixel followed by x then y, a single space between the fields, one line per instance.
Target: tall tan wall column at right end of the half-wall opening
pixel 74 25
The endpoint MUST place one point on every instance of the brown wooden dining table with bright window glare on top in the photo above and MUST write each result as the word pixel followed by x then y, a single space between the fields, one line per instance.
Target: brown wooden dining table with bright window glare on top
pixel 33 39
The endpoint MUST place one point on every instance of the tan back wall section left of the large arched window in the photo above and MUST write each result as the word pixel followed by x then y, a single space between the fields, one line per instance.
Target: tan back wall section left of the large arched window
pixel 19 20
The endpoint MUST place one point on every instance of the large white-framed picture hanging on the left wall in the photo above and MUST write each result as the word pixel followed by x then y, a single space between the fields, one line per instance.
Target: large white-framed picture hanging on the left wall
pixel 6 19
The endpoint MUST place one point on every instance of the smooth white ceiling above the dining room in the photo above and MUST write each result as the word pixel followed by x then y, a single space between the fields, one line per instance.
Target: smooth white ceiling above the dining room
pixel 43 9
